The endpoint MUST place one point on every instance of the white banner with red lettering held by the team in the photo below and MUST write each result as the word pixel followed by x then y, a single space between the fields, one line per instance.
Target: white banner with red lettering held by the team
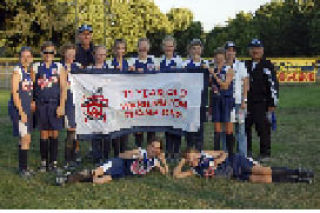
pixel 107 103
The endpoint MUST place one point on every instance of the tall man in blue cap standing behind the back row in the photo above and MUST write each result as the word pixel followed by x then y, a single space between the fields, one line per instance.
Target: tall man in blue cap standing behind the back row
pixel 84 50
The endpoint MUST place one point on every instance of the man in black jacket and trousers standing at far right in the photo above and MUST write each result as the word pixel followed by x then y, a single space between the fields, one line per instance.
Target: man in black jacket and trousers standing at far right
pixel 262 98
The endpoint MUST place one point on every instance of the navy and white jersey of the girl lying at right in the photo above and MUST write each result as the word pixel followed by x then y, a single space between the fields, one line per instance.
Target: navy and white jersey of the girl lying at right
pixel 205 167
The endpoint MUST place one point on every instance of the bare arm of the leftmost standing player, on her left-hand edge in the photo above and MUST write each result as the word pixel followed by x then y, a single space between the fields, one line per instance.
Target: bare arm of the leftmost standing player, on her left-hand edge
pixel 16 97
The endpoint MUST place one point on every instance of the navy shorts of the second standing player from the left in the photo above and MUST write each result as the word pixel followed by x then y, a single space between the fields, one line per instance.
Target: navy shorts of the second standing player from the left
pixel 46 115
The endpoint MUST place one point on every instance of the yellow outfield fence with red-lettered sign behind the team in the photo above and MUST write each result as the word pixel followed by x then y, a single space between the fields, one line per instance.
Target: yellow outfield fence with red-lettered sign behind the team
pixel 289 70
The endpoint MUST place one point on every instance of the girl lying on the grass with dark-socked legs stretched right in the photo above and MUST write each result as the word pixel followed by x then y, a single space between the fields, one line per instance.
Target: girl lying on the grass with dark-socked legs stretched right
pixel 217 163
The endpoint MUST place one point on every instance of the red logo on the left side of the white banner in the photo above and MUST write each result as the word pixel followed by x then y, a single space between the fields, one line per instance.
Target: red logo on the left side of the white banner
pixel 95 107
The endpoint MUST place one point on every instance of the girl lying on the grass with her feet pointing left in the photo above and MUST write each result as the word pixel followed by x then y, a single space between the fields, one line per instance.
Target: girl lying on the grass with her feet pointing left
pixel 131 162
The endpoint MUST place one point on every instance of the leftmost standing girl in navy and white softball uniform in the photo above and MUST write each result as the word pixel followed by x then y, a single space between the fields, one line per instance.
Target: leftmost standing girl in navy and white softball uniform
pixel 21 106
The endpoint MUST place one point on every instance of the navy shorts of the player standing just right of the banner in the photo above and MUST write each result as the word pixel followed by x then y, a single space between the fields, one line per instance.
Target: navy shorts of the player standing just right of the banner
pixel 222 107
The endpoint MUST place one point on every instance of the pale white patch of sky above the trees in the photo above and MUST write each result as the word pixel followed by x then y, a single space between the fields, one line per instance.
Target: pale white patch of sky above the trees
pixel 212 12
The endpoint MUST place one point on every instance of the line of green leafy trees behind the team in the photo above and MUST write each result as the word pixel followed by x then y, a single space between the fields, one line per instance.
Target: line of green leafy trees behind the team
pixel 287 28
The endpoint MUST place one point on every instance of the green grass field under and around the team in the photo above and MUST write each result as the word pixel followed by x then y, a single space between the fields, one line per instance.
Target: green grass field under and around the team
pixel 295 143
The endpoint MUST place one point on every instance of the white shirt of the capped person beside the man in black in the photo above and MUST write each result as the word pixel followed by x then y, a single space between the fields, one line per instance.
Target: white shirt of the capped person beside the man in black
pixel 240 73
